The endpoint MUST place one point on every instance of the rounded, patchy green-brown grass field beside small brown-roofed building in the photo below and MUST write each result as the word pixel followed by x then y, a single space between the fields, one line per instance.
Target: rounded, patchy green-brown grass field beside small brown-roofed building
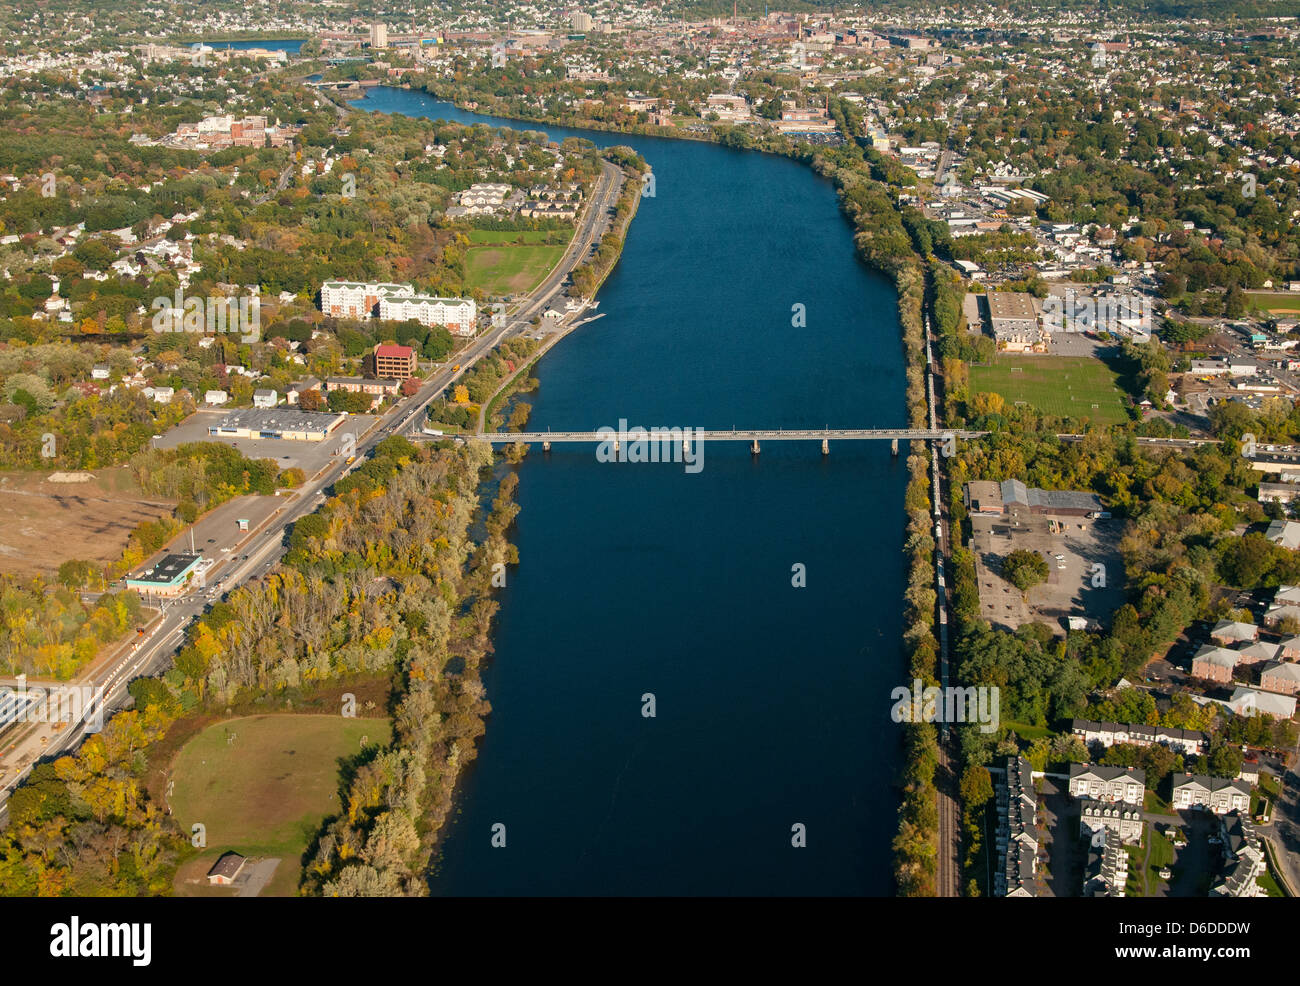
pixel 267 792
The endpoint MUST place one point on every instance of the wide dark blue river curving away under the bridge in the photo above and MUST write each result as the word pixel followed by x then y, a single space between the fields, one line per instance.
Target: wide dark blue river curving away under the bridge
pixel 772 702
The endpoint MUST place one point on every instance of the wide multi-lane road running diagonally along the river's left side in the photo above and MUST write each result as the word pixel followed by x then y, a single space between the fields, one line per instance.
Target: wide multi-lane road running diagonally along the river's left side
pixel 153 655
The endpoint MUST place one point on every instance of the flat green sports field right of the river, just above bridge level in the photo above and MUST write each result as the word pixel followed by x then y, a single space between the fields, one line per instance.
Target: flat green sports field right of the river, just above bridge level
pixel 1069 387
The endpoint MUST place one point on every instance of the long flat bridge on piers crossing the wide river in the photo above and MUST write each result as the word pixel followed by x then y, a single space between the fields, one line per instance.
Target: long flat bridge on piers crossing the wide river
pixel 688 436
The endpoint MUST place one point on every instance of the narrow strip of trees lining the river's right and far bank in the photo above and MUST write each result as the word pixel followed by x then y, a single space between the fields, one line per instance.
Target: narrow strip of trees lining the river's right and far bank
pixel 891 239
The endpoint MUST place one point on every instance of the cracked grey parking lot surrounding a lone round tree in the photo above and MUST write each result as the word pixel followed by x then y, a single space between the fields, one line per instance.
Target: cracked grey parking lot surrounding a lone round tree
pixel 1071 590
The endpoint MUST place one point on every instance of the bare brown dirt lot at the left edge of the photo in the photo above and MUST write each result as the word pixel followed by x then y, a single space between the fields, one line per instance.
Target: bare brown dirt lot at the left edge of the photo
pixel 46 524
